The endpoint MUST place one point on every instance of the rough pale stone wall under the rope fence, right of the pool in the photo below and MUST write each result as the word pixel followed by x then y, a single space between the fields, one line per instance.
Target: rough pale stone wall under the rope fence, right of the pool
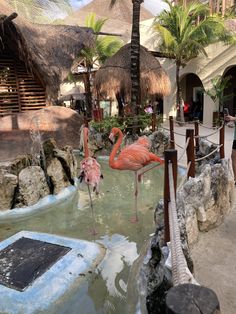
pixel 202 204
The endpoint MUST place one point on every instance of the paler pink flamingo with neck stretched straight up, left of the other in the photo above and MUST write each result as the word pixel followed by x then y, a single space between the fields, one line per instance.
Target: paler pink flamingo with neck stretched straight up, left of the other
pixel 90 171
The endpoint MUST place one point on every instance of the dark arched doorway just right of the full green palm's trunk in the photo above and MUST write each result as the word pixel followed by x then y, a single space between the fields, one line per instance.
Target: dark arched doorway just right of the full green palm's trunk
pixel 192 93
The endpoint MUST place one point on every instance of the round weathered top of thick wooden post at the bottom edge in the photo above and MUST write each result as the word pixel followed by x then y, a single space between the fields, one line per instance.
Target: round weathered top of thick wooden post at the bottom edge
pixel 189 298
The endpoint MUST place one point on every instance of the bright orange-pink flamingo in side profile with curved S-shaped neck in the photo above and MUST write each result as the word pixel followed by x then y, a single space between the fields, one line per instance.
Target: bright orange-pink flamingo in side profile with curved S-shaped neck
pixel 132 157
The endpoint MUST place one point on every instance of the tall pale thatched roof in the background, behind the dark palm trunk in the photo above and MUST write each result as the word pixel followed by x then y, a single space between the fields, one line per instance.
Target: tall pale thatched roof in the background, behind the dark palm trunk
pixel 119 17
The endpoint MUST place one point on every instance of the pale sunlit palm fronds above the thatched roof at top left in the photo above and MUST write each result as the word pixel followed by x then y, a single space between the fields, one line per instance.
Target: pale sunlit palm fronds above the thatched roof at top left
pixel 41 11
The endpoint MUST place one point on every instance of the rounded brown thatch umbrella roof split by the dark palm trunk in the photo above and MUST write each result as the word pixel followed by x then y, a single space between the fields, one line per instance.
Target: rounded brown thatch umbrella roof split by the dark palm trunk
pixel 114 76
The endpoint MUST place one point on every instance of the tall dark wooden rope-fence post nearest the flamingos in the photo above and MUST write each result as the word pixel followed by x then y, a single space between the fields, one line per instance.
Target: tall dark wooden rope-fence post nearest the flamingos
pixel 170 156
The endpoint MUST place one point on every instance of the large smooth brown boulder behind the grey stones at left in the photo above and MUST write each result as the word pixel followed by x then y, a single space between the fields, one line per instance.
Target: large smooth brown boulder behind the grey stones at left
pixel 62 124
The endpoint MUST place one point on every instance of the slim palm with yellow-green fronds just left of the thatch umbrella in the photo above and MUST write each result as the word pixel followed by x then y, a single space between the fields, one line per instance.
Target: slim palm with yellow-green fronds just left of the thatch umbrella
pixel 103 48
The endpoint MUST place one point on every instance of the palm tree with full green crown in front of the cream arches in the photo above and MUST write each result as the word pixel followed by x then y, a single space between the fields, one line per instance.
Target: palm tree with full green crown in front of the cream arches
pixel 185 31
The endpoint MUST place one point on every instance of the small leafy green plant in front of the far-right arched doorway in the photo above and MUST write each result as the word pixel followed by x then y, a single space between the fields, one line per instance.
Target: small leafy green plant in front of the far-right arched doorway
pixel 217 91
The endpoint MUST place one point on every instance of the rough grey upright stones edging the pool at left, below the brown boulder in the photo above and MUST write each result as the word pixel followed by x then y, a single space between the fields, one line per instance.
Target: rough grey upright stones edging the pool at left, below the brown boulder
pixel 25 180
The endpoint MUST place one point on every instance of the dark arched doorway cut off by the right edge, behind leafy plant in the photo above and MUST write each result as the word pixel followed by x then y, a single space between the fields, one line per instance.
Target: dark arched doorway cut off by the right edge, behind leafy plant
pixel 230 91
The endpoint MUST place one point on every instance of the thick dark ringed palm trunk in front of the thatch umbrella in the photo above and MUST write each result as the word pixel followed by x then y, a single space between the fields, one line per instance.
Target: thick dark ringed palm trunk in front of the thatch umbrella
pixel 134 56
